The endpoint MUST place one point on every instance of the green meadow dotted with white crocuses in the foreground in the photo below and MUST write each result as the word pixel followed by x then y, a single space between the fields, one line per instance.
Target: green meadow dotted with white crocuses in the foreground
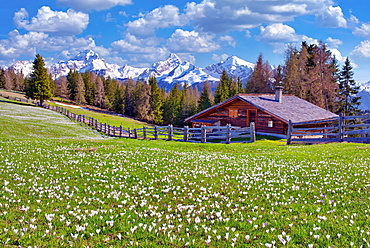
pixel 64 185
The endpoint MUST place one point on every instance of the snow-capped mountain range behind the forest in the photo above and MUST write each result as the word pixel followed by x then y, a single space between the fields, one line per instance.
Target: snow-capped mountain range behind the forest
pixel 167 72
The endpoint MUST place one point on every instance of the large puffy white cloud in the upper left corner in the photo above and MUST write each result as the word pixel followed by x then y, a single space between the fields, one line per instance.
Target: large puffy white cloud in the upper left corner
pixel 53 22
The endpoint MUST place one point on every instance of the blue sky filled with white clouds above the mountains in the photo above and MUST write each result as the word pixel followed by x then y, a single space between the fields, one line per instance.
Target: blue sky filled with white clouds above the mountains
pixel 203 32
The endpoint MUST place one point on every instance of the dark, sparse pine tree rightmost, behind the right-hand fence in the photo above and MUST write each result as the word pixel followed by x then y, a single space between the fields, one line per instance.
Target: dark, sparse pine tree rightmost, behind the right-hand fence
pixel 348 103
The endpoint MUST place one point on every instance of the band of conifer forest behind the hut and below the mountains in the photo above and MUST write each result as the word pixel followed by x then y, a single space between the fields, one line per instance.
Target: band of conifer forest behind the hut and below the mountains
pixel 310 72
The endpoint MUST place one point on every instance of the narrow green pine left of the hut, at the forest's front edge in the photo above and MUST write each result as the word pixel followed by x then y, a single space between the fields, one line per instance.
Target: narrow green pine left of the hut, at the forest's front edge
pixel 156 101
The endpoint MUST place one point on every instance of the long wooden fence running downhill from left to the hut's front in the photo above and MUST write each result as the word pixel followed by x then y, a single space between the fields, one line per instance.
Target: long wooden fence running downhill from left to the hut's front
pixel 203 134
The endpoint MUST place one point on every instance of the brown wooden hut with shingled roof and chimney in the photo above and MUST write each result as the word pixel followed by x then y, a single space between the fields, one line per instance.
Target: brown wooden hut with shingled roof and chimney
pixel 270 112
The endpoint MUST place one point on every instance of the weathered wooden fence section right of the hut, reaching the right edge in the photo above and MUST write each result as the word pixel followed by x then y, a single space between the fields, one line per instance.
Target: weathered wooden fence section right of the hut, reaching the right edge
pixel 338 129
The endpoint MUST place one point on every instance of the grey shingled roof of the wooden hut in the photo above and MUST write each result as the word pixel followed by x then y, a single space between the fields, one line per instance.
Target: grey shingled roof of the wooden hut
pixel 290 108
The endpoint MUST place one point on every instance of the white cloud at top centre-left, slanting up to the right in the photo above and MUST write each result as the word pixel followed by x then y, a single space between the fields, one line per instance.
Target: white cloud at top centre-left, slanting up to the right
pixel 162 17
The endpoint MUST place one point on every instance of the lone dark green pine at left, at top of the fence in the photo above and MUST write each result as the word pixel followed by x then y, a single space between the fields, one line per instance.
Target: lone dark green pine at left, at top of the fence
pixel 39 86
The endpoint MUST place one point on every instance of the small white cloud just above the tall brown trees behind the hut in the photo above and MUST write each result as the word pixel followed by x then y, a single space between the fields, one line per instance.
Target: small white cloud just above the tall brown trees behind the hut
pixel 278 32
